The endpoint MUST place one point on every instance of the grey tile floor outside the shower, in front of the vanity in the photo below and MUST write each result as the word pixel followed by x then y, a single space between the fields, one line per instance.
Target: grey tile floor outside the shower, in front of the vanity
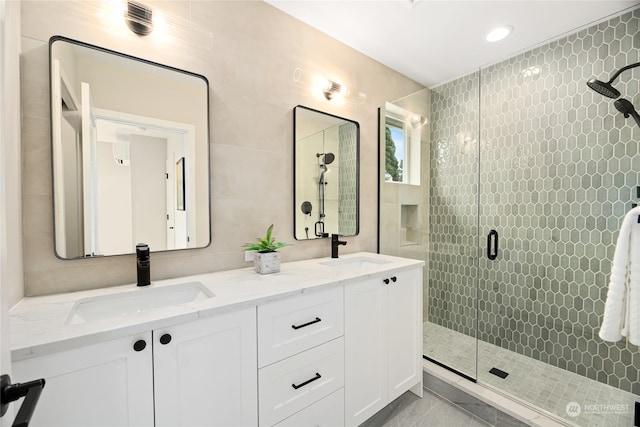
pixel 431 411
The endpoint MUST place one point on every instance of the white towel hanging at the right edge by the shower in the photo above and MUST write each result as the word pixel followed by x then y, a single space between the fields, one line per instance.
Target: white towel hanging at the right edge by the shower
pixel 622 309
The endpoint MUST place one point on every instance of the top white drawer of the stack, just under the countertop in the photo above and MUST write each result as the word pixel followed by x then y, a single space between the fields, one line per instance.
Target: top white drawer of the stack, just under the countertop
pixel 293 325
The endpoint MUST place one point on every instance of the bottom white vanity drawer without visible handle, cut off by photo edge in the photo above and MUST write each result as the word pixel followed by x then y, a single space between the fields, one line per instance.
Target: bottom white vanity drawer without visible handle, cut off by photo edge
pixel 327 412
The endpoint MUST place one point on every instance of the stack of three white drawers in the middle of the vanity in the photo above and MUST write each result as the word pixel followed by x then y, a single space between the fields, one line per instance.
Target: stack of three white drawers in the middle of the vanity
pixel 301 360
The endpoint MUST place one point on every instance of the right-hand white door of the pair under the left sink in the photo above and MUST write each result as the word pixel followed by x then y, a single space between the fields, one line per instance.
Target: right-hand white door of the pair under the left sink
pixel 206 374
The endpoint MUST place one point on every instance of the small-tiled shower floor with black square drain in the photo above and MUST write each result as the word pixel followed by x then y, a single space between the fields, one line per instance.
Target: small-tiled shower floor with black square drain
pixel 547 387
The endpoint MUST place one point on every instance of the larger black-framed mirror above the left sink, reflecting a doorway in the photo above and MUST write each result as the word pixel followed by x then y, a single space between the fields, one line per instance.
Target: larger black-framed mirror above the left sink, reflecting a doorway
pixel 130 149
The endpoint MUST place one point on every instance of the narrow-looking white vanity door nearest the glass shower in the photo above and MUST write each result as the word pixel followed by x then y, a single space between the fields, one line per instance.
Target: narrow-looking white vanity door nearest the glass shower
pixel 404 323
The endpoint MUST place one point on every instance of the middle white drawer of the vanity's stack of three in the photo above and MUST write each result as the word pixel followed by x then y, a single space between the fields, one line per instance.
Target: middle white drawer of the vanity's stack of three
pixel 293 384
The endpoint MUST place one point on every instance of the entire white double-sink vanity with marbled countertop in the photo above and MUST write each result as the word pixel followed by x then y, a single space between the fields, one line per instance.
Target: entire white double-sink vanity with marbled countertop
pixel 327 343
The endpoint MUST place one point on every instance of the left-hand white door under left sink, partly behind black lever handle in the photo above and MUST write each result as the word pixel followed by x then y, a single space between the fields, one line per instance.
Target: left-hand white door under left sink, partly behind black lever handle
pixel 105 384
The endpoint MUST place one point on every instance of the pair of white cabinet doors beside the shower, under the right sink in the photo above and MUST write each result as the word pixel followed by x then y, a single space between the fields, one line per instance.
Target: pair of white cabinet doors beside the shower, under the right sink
pixel 383 328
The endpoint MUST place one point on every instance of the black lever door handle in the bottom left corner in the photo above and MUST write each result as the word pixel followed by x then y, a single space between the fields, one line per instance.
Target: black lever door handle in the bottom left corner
pixel 11 392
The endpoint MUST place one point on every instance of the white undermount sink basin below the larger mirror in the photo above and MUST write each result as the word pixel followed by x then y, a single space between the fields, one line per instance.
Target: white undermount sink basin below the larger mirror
pixel 136 301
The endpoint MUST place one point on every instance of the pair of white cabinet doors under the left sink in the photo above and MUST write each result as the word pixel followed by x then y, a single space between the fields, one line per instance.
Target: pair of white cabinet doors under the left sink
pixel 197 373
